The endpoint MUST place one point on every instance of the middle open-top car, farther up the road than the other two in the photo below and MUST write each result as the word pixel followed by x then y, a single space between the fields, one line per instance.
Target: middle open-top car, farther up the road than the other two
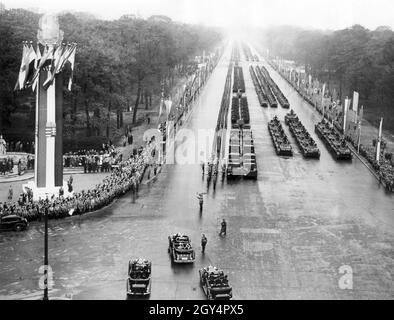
pixel 180 248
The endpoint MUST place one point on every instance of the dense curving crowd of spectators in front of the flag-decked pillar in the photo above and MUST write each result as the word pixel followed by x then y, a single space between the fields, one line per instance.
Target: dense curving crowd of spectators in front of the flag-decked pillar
pixel 127 176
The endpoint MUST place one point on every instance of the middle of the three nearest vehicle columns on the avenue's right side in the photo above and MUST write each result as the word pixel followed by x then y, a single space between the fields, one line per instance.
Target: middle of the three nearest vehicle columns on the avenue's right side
pixel 304 140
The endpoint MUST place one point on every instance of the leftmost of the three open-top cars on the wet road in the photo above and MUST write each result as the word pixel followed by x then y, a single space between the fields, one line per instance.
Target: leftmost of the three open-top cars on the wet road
pixel 139 280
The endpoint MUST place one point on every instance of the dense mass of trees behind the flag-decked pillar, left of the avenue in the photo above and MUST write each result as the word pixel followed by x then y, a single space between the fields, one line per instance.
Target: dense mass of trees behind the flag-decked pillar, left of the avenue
pixel 119 64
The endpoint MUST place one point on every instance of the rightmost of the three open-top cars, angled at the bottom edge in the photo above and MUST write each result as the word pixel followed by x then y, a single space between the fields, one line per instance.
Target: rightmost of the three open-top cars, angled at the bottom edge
pixel 215 284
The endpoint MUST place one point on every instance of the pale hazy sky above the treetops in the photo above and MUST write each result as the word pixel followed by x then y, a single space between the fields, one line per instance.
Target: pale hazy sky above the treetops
pixel 322 14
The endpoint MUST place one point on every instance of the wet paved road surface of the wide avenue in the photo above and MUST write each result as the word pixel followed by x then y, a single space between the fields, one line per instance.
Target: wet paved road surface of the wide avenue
pixel 289 232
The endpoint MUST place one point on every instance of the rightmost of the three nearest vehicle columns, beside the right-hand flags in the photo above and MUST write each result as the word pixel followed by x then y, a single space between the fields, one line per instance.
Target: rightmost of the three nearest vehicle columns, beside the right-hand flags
pixel 333 140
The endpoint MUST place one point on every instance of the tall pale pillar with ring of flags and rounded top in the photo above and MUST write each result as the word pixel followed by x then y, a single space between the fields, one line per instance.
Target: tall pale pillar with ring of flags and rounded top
pixel 49 108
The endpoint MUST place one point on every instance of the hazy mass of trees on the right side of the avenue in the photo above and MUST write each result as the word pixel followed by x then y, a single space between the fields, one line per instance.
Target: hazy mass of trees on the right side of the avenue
pixel 351 59
